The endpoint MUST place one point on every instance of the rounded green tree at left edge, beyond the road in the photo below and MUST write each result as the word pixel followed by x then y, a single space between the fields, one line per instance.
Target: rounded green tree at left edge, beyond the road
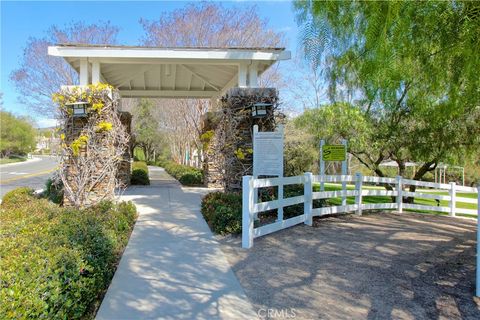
pixel 17 135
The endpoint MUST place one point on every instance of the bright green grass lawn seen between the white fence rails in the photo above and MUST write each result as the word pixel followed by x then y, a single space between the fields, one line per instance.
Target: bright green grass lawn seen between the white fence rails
pixel 387 199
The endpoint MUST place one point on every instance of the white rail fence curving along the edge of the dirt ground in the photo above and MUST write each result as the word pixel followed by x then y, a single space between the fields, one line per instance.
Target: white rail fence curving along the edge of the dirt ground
pixel 398 196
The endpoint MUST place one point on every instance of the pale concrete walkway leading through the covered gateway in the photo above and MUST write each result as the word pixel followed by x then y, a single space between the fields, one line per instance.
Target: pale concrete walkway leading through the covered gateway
pixel 173 268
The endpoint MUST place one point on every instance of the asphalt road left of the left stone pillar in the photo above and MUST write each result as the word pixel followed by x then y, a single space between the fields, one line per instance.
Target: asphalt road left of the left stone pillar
pixel 33 173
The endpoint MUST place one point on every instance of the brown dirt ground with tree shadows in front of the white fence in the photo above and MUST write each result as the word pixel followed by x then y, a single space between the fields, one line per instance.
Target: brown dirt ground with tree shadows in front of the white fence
pixel 378 266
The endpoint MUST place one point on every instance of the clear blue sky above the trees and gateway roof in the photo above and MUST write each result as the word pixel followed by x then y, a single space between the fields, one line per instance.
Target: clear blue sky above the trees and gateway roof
pixel 21 20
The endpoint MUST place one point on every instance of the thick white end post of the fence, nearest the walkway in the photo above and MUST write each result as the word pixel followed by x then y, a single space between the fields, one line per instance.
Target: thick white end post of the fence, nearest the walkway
pixel 247 211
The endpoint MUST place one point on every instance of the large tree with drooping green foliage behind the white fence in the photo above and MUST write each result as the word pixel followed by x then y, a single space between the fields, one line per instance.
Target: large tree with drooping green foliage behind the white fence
pixel 409 71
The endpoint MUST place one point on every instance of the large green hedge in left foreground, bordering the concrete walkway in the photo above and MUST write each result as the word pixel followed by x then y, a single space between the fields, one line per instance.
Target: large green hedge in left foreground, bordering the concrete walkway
pixel 56 263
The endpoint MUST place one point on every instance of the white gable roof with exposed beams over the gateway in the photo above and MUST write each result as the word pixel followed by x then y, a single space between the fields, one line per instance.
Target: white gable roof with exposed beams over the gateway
pixel 171 72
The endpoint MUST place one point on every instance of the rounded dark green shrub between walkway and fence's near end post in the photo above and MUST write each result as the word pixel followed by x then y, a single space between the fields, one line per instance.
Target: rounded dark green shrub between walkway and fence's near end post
pixel 223 212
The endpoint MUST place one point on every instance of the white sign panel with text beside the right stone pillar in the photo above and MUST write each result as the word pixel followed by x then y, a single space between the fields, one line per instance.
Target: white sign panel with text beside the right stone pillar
pixel 268 152
